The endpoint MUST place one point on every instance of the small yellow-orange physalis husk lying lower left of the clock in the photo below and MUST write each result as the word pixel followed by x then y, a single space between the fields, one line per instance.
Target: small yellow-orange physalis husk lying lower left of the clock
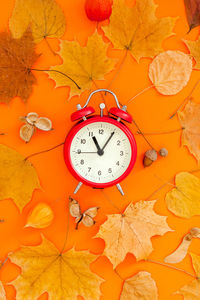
pixel 40 217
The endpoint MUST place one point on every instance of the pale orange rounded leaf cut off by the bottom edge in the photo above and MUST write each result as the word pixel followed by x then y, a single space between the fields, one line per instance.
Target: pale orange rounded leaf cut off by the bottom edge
pixel 139 287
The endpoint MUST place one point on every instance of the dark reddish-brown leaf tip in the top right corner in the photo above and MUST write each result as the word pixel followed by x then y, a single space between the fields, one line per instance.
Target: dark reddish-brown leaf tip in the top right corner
pixel 192 8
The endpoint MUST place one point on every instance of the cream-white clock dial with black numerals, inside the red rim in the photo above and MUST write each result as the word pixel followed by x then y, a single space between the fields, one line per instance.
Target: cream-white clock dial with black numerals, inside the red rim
pixel 100 152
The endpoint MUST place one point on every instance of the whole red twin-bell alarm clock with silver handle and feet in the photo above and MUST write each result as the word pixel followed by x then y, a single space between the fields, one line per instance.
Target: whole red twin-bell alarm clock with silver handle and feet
pixel 100 150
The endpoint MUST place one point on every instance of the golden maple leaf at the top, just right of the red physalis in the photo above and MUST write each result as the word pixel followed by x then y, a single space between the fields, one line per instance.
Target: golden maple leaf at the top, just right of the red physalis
pixel 138 29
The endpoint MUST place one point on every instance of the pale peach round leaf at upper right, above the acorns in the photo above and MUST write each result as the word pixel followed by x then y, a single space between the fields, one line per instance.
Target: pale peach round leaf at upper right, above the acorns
pixel 170 72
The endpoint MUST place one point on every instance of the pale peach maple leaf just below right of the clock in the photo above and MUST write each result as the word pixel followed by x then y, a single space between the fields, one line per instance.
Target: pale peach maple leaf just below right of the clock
pixel 132 231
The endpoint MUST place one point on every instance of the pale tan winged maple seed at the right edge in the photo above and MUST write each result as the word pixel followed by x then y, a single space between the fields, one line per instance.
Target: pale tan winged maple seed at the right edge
pixel 180 253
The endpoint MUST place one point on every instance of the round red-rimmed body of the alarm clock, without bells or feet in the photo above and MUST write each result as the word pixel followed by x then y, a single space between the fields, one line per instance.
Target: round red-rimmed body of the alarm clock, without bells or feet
pixel 101 151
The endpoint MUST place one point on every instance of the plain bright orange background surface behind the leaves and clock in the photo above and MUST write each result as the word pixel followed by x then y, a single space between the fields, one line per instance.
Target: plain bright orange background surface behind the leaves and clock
pixel 150 110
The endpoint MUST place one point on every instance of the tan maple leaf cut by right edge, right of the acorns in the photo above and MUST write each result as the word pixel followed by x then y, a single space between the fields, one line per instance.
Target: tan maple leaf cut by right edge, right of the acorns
pixel 190 122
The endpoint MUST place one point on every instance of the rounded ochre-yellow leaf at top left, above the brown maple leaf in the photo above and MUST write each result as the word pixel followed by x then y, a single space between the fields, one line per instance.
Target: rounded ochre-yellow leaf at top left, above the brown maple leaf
pixel 45 17
